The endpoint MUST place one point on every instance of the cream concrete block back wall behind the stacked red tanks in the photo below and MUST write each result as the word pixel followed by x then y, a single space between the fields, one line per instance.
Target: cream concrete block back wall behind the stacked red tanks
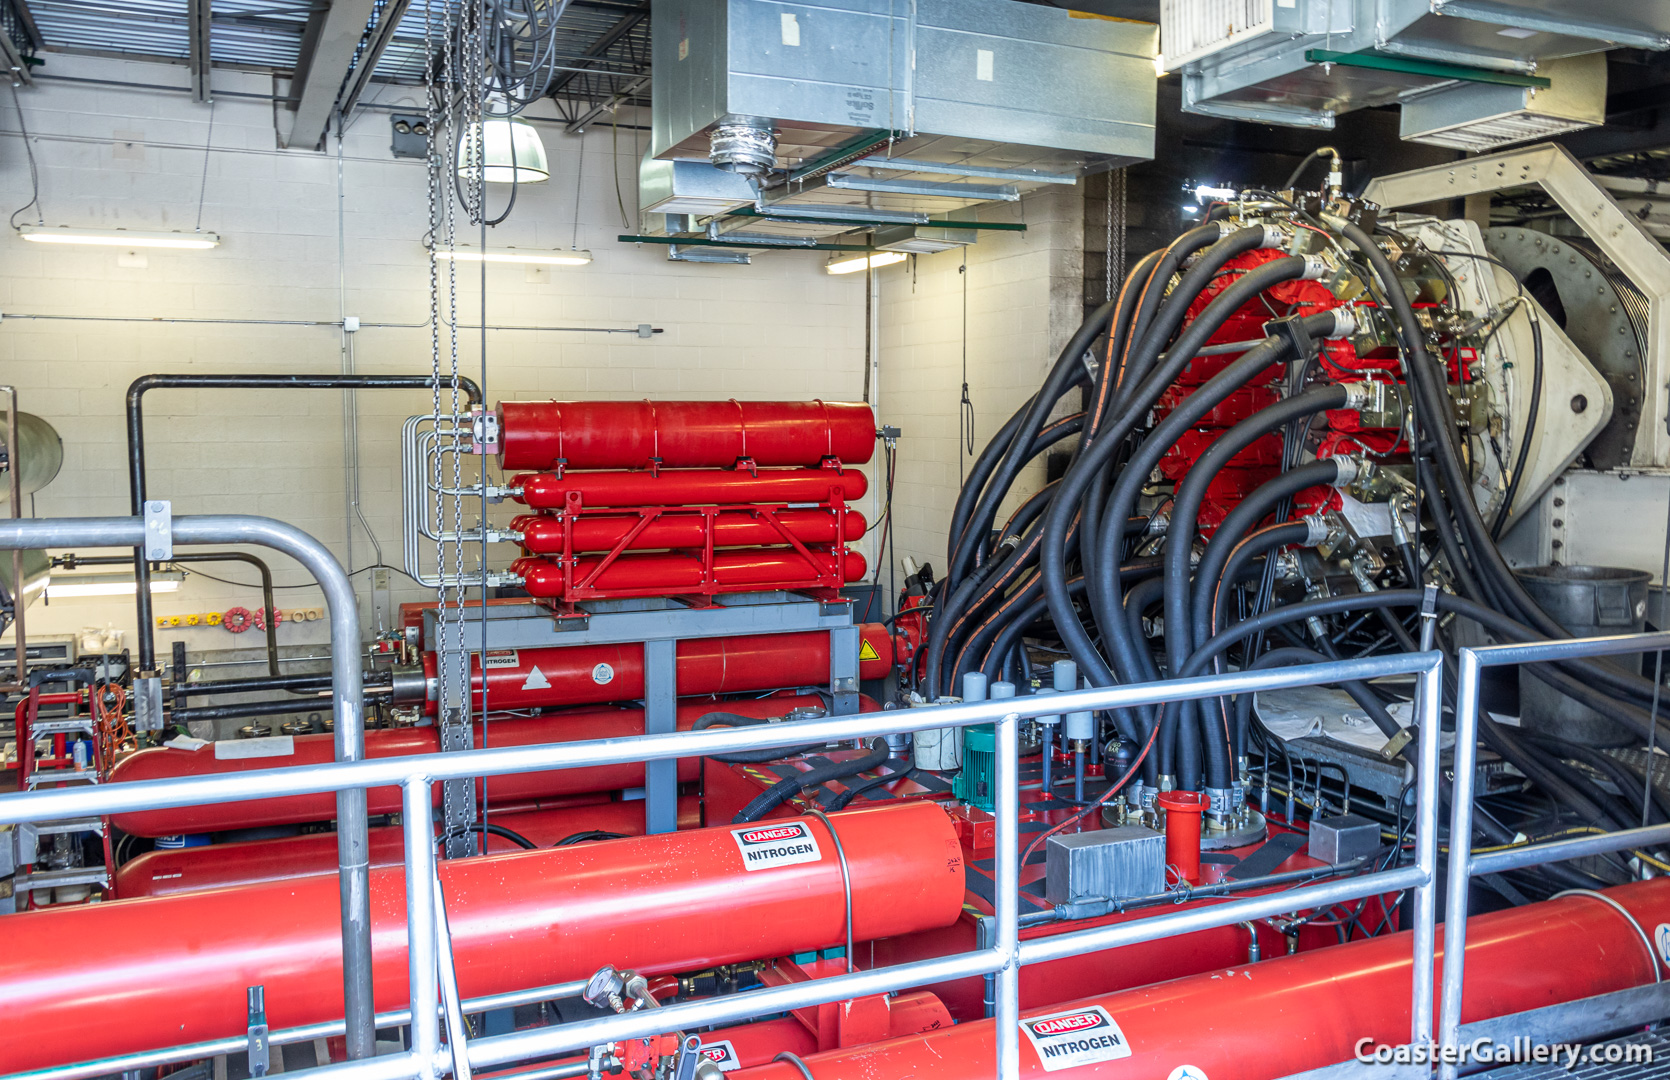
pixel 306 240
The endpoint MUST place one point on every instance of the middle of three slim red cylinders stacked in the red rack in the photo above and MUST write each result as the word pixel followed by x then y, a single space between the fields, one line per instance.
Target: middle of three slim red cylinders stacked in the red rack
pixel 544 535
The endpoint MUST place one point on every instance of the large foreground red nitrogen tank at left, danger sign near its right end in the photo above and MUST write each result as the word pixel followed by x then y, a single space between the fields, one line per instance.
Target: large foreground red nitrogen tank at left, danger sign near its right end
pixel 173 969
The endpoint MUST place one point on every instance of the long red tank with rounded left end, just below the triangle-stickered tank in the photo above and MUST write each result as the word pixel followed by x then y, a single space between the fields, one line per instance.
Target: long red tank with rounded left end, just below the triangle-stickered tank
pixel 393 742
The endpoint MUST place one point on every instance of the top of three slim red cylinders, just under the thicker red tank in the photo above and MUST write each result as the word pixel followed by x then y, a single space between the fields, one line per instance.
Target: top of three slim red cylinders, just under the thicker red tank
pixel 545 492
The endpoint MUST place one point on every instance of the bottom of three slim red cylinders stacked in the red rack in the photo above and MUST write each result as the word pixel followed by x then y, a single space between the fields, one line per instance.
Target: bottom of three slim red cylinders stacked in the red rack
pixel 751 568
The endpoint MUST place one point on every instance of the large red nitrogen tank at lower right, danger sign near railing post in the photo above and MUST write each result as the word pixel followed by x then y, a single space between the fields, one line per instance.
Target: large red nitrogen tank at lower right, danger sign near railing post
pixel 1288 1016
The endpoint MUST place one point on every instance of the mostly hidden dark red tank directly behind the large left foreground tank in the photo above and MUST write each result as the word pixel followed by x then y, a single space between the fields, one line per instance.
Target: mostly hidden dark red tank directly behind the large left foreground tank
pixel 190 871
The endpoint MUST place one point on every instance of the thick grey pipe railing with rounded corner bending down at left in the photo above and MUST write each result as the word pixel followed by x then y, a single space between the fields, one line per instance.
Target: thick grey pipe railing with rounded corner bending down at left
pixel 347 689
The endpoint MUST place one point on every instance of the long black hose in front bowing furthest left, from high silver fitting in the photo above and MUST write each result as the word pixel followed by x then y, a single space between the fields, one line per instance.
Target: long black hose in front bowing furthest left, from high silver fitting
pixel 1090 465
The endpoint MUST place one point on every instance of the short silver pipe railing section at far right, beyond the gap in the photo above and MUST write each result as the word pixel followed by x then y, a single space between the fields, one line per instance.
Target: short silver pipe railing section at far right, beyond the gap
pixel 1465 866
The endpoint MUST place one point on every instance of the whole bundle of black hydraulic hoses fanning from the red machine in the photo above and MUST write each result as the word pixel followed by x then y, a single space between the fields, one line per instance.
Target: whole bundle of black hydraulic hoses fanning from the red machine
pixel 1066 558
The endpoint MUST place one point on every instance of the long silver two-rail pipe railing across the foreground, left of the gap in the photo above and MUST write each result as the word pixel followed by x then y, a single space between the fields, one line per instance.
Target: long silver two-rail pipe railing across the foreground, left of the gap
pixel 425 939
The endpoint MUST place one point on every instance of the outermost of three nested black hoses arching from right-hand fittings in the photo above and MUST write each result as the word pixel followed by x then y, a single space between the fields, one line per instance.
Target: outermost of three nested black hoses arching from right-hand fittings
pixel 1187 507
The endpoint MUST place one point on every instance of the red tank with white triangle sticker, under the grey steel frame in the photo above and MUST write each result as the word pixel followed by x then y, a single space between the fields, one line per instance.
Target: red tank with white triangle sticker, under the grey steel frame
pixel 595 674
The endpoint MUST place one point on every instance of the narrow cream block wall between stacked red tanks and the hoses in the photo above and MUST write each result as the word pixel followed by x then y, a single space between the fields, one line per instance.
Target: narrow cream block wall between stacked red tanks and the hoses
pixel 1023 306
